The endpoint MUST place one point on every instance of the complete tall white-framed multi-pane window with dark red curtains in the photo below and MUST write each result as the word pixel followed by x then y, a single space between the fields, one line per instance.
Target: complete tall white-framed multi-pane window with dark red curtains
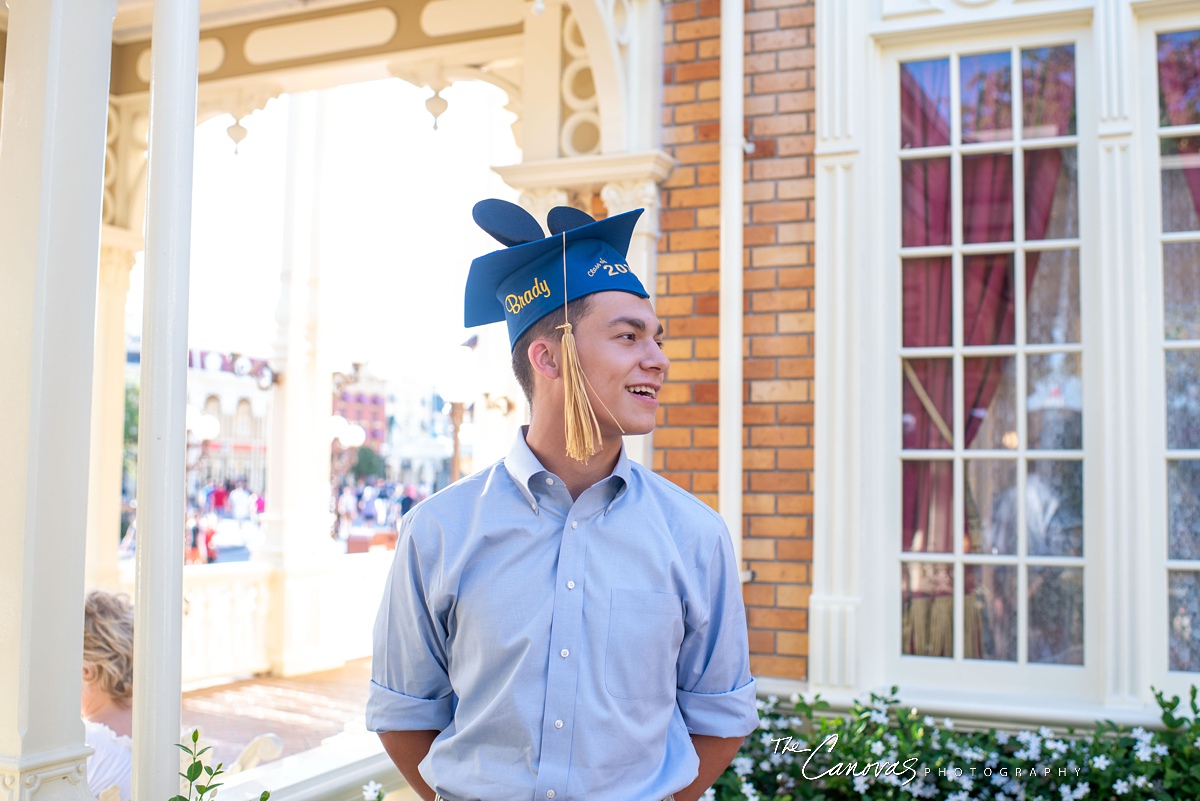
pixel 992 568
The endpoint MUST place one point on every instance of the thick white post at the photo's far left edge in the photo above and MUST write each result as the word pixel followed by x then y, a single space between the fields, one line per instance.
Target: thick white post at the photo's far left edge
pixel 52 158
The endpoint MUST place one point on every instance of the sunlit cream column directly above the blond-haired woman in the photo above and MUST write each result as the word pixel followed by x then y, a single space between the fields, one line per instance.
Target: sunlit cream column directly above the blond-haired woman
pixel 118 250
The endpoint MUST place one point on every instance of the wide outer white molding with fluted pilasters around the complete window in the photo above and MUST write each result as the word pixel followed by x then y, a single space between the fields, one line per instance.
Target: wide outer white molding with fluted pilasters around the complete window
pixel 854 613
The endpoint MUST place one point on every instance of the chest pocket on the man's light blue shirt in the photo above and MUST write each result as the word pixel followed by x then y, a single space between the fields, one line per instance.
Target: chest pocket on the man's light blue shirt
pixel 645 635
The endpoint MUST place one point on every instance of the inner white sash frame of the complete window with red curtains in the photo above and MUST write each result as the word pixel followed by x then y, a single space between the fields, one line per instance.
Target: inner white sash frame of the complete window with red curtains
pixel 957 672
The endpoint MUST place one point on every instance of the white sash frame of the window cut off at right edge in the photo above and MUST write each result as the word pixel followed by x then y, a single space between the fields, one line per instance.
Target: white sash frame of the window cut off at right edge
pixel 1177 683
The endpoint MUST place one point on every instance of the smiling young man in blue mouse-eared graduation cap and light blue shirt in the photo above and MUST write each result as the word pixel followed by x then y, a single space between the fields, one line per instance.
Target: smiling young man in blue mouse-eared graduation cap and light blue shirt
pixel 565 624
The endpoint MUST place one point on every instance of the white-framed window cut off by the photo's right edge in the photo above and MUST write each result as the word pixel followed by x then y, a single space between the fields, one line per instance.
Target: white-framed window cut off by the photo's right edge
pixel 1171 63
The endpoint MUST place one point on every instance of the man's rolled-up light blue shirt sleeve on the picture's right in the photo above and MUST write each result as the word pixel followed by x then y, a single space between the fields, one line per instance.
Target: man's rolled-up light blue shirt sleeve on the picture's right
pixel 716 692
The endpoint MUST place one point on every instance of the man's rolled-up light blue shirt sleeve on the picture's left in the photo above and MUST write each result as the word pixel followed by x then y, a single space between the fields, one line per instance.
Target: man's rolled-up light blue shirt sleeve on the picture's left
pixel 410 684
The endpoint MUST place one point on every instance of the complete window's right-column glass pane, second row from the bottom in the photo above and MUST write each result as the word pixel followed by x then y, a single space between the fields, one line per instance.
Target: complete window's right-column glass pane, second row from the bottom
pixel 1054 508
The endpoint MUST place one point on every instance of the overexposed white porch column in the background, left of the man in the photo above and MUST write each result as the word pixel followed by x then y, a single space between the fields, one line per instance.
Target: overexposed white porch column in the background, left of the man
pixel 303 628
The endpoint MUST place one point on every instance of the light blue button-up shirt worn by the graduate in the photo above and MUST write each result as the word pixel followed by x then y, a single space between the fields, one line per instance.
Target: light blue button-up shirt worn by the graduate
pixel 566 651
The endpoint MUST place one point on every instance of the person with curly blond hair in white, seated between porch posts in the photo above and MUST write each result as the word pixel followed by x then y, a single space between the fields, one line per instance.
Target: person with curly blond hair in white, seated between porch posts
pixel 107 704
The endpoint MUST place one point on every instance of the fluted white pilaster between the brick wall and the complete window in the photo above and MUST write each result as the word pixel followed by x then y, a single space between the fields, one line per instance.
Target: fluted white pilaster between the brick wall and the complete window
pixel 847 646
